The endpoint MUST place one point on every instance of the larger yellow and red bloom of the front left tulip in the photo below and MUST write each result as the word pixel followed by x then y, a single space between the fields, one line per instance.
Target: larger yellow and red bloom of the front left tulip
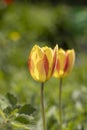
pixel 41 62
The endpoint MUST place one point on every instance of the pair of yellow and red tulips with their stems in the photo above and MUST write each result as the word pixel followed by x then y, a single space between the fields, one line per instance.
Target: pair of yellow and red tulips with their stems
pixel 43 63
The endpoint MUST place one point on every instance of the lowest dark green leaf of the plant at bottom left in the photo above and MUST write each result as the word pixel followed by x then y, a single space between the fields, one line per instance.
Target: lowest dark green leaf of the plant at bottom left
pixel 22 119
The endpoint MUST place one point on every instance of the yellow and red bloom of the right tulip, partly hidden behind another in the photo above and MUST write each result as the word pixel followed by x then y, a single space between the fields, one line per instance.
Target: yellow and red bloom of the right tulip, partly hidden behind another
pixel 65 62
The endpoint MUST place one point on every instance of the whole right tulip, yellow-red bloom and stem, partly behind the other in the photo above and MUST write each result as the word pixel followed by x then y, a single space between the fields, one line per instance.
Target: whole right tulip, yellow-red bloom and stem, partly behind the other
pixel 64 65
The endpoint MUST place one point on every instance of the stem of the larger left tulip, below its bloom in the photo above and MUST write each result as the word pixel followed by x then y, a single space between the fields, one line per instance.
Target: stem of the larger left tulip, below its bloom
pixel 42 106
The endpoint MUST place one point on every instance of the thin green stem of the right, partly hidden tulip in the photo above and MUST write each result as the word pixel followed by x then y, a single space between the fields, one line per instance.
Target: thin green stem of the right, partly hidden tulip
pixel 60 103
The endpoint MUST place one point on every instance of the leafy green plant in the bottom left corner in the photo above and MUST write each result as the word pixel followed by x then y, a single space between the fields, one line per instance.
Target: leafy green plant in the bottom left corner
pixel 16 115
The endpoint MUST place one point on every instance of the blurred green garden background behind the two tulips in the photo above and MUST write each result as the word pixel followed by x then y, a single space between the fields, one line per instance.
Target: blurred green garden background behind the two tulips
pixel 25 23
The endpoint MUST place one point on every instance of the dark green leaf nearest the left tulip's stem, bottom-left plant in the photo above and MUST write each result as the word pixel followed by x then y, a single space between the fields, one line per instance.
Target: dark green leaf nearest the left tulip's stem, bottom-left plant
pixel 27 109
